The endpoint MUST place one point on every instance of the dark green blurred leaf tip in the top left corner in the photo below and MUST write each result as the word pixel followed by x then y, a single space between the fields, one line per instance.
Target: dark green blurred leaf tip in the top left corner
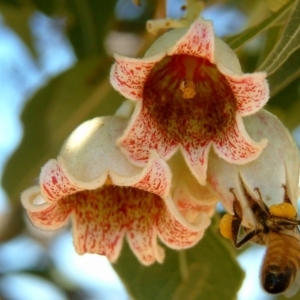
pixel 17 18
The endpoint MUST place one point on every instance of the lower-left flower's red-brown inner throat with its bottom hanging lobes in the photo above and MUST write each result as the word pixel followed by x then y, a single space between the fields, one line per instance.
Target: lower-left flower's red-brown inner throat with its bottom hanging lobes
pixel 103 216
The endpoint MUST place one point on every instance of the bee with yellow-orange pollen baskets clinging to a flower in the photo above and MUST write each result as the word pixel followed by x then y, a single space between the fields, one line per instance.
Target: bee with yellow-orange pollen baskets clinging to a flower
pixel 276 228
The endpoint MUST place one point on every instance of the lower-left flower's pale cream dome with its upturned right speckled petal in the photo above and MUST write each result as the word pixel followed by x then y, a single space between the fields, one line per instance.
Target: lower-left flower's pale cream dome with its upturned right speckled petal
pixel 90 155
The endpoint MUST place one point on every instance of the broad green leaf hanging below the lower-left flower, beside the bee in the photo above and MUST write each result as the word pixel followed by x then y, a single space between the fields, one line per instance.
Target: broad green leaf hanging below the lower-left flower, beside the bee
pixel 212 272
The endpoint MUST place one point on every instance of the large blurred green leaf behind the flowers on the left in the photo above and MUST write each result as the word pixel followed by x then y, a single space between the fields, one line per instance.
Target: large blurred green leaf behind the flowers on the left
pixel 78 94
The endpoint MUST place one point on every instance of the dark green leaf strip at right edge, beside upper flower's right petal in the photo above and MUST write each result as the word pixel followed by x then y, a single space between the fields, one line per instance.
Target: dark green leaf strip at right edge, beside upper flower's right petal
pixel 285 74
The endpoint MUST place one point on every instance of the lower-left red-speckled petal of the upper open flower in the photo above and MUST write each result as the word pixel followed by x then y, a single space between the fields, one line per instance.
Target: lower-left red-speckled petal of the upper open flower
pixel 142 135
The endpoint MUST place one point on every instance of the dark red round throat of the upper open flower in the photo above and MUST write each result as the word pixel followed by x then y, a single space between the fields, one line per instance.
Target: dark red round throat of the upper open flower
pixel 188 98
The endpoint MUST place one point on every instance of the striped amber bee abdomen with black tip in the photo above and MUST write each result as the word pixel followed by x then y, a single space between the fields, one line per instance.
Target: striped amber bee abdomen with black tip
pixel 281 262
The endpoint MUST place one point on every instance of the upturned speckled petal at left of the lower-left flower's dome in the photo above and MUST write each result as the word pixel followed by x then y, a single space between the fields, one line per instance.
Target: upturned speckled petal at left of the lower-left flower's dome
pixel 54 182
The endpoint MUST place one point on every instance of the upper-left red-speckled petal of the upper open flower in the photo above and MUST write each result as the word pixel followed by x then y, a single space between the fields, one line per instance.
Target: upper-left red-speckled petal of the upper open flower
pixel 128 76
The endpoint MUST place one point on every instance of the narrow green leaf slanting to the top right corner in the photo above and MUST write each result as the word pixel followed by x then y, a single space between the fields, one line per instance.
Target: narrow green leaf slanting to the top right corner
pixel 238 40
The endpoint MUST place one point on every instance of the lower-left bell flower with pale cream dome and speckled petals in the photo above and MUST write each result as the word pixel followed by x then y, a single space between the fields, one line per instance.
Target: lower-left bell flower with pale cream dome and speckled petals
pixel 106 197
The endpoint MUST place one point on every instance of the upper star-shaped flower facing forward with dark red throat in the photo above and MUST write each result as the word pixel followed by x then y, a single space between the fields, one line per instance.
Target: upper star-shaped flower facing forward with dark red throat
pixel 190 94
